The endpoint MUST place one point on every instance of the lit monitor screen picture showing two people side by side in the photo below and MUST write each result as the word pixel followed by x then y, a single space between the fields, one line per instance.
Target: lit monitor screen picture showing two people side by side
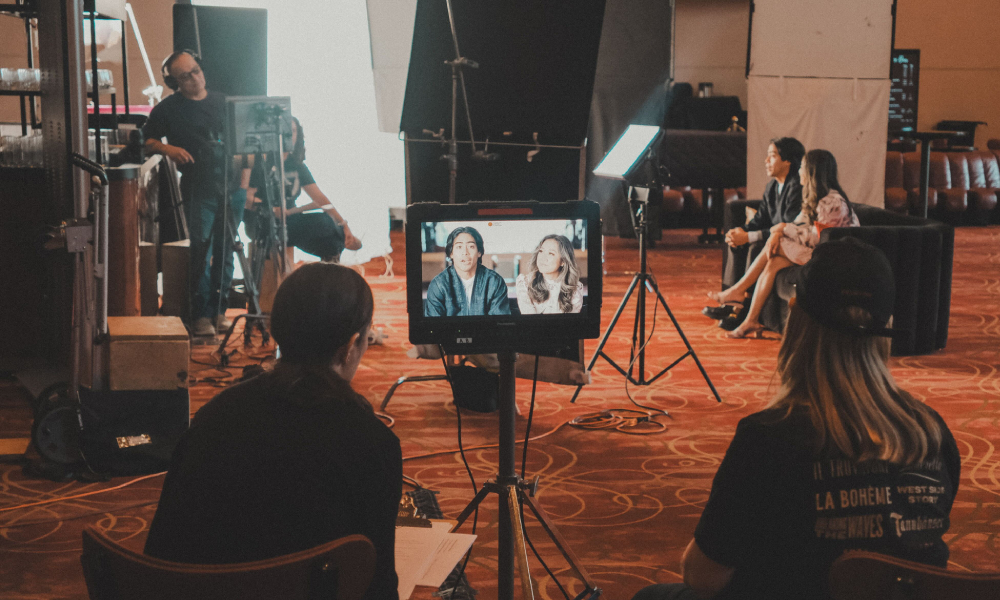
pixel 523 267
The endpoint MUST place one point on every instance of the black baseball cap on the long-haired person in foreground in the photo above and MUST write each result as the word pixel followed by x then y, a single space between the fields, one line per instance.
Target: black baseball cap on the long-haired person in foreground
pixel 848 273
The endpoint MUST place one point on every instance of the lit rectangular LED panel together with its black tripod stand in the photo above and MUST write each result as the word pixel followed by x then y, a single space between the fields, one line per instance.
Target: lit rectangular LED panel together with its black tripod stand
pixel 623 165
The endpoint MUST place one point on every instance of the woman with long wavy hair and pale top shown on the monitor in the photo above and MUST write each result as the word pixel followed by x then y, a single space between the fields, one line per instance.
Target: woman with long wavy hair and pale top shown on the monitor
pixel 551 283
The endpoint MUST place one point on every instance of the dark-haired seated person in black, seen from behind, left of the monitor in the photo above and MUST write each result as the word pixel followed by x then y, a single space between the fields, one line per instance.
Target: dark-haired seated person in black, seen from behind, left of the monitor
pixel 292 458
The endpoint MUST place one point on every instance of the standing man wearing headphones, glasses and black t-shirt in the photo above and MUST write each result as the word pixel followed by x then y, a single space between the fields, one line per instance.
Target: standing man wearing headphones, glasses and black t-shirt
pixel 191 120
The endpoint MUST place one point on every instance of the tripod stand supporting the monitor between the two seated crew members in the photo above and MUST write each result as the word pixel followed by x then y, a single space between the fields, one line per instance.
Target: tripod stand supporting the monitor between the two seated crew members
pixel 513 494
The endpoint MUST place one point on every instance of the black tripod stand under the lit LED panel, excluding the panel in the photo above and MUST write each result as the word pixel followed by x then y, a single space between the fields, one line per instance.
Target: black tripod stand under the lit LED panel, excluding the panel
pixel 643 281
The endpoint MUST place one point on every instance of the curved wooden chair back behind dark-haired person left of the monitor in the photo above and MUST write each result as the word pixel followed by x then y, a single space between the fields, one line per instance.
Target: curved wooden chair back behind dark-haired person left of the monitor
pixel 341 570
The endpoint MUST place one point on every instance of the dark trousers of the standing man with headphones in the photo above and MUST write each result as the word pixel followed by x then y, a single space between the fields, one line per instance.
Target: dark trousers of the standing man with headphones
pixel 208 284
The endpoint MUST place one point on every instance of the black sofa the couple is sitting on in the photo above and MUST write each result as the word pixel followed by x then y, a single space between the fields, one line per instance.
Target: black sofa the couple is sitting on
pixel 920 252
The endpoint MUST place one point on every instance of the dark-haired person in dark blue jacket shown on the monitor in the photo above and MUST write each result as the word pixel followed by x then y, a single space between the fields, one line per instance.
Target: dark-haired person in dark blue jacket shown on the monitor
pixel 466 287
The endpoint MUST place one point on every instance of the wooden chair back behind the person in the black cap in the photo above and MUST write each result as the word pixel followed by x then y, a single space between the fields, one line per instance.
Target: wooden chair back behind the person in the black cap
pixel 859 575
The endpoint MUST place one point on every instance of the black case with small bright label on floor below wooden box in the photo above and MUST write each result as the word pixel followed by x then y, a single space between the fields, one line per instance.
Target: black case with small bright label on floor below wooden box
pixel 133 432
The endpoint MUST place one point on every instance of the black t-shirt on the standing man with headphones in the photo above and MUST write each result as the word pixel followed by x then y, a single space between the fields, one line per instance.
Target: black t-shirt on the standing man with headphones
pixel 194 125
